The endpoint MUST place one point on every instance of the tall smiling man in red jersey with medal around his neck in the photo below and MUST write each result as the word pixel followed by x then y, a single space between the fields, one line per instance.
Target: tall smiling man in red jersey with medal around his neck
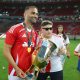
pixel 20 43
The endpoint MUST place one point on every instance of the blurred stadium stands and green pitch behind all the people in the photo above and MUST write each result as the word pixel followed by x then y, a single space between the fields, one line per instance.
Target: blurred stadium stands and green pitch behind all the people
pixel 65 12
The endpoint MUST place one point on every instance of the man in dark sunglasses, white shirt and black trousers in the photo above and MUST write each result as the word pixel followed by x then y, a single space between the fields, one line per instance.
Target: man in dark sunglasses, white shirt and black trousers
pixel 54 68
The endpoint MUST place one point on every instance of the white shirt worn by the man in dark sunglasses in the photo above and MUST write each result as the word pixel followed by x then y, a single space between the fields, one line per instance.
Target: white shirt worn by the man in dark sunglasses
pixel 55 60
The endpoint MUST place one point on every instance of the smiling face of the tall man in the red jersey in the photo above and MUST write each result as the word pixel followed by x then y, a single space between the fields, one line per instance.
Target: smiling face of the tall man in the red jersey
pixel 31 15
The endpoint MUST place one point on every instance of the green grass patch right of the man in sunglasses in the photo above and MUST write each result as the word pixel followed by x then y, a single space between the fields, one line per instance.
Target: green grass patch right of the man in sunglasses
pixel 70 67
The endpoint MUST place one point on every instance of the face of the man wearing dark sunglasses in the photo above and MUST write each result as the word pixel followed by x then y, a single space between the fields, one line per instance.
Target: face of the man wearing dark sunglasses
pixel 47 30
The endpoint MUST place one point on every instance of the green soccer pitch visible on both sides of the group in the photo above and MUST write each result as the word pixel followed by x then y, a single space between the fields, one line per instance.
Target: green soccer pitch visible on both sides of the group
pixel 70 67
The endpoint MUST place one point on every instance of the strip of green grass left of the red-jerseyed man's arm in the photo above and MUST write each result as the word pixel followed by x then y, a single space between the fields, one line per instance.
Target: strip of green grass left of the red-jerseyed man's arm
pixel 3 62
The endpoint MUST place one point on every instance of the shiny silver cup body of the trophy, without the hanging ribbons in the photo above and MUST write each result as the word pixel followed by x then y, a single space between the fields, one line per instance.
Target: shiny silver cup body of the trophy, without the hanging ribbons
pixel 44 53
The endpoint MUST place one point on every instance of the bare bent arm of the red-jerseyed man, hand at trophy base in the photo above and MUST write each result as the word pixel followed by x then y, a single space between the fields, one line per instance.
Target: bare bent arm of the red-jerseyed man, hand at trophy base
pixel 8 56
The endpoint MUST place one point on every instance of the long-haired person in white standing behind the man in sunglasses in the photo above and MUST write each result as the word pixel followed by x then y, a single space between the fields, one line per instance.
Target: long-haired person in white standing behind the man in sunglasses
pixel 65 38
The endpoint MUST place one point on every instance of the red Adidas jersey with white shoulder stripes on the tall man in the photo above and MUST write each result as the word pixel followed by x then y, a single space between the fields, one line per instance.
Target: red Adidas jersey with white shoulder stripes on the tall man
pixel 16 36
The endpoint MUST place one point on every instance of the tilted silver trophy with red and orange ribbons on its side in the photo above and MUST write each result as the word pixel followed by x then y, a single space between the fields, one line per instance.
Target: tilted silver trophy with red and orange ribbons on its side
pixel 42 54
